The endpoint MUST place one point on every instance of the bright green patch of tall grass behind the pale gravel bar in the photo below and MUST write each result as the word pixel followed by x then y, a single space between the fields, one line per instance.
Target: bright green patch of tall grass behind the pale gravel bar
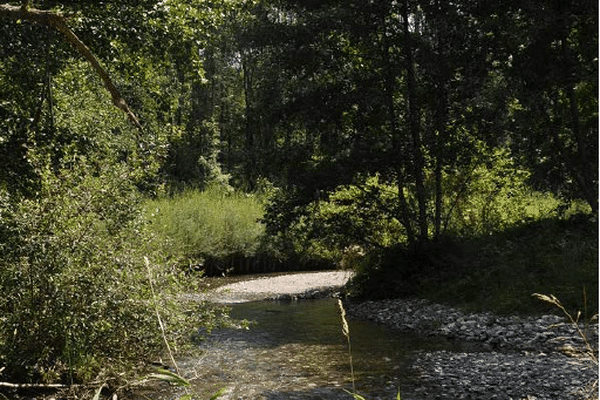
pixel 213 223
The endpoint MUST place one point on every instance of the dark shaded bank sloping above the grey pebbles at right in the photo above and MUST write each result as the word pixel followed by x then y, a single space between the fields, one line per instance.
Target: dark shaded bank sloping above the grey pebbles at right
pixel 496 273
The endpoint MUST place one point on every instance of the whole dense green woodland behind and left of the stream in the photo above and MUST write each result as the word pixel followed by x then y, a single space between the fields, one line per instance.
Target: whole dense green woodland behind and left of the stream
pixel 143 141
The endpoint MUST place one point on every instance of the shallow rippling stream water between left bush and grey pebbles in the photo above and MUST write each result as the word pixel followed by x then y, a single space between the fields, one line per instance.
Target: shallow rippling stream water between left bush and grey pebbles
pixel 296 350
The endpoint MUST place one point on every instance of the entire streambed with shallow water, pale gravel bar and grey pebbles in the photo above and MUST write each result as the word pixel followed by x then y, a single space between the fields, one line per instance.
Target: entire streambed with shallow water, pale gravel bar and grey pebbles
pixel 295 349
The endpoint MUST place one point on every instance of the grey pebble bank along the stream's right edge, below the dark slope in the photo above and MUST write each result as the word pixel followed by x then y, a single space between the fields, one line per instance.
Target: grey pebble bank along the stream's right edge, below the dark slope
pixel 513 358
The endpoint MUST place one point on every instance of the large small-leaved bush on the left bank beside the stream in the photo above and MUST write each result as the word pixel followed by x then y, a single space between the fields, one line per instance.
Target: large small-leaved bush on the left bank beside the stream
pixel 75 290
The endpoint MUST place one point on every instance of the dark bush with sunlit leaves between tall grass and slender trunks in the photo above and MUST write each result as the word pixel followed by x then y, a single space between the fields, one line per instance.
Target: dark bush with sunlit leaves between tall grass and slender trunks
pixel 350 220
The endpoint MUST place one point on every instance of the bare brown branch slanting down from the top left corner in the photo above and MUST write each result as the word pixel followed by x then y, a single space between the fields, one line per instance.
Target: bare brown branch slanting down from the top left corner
pixel 58 21
